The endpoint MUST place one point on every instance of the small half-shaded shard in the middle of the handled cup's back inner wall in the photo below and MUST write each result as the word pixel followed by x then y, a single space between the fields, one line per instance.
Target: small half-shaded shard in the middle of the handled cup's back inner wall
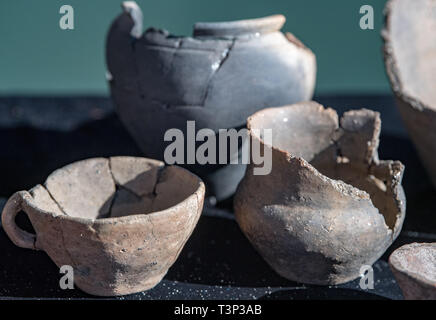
pixel 139 175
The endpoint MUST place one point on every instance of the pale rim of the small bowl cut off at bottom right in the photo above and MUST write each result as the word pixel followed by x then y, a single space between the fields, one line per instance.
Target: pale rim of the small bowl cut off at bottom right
pixel 396 265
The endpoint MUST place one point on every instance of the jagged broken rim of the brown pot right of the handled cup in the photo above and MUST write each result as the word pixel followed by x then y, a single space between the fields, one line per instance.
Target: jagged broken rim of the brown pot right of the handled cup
pixel 355 192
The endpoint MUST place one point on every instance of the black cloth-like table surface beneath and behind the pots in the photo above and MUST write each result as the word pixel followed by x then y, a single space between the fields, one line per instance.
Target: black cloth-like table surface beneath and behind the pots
pixel 39 135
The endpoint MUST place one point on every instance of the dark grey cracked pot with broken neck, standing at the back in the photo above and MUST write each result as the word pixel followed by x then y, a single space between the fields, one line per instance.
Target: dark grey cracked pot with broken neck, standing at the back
pixel 217 78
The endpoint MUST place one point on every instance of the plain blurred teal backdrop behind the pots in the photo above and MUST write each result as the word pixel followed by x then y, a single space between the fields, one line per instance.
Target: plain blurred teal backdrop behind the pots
pixel 38 58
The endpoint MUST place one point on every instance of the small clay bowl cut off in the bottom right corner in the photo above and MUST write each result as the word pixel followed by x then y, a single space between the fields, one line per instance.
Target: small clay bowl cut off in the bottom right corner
pixel 414 267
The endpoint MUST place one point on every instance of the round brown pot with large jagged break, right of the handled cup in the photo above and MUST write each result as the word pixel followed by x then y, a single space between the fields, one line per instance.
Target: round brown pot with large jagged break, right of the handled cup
pixel 329 205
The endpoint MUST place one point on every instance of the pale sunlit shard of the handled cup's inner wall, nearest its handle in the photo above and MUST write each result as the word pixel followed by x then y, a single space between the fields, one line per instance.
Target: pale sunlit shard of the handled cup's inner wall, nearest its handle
pixel 83 190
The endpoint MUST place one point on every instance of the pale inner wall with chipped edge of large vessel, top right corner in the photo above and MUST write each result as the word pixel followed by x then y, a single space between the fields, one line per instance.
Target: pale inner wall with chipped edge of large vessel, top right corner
pixel 410 46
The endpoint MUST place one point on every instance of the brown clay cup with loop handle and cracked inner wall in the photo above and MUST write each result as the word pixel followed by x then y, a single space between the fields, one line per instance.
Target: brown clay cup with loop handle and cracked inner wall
pixel 119 222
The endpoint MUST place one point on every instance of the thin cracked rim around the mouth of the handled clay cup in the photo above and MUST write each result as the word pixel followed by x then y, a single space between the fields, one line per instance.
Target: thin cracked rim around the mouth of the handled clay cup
pixel 197 195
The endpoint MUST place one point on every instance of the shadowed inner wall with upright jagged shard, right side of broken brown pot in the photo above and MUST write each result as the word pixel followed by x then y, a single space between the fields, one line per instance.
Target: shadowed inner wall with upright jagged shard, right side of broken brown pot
pixel 354 148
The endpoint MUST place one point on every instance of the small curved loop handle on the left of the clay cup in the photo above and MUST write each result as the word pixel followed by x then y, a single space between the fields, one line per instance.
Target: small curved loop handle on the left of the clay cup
pixel 18 236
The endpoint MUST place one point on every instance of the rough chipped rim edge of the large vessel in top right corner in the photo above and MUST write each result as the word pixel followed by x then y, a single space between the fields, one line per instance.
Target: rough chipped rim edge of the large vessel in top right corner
pixel 392 69
